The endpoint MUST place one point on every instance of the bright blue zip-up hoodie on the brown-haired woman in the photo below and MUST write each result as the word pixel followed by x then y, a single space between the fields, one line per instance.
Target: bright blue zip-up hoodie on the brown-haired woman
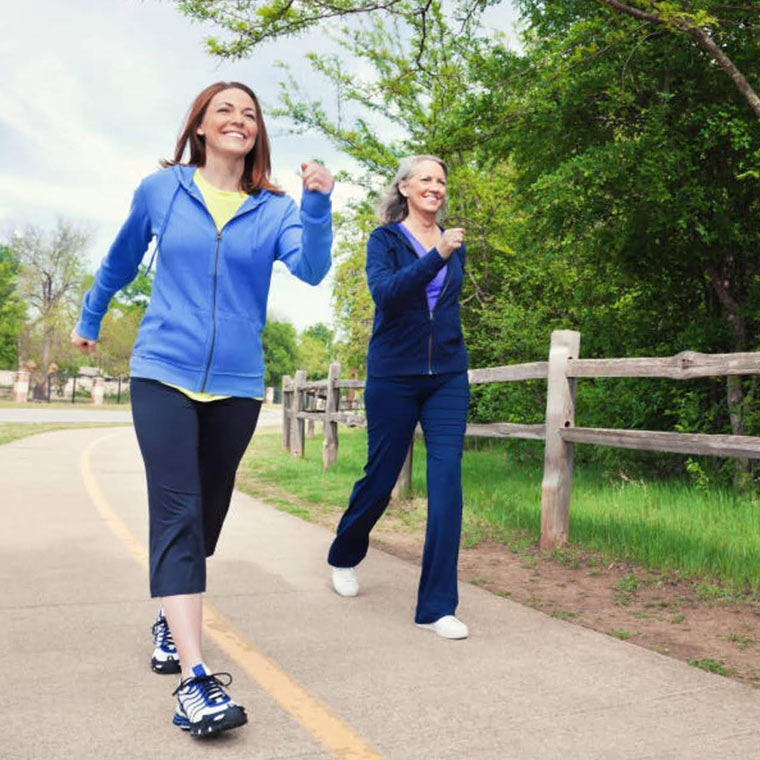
pixel 202 328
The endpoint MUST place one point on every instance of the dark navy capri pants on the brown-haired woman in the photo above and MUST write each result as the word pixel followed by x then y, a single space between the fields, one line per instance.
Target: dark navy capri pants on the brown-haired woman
pixel 191 451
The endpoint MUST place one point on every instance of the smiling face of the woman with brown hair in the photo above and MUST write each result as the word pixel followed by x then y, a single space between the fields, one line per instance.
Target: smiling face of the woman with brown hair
pixel 229 126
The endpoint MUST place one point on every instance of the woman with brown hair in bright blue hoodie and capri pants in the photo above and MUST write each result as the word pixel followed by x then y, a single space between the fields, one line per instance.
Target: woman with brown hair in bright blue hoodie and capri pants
pixel 197 367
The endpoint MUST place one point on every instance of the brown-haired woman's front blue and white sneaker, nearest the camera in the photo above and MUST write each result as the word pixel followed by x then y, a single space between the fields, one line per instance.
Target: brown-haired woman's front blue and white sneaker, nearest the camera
pixel 203 706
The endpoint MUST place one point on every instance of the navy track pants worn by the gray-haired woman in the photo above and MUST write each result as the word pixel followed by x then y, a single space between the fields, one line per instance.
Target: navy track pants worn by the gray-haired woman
pixel 394 407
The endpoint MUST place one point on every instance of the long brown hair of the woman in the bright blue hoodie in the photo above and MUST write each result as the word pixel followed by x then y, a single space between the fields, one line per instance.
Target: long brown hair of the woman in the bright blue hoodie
pixel 257 162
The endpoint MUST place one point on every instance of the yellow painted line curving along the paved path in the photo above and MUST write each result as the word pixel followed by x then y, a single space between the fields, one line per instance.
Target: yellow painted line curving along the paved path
pixel 326 727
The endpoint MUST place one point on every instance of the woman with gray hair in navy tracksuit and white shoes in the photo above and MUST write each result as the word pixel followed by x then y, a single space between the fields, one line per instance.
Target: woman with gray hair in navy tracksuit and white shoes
pixel 416 372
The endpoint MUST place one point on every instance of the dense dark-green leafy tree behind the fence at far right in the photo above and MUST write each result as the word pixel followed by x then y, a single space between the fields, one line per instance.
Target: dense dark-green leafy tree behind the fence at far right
pixel 635 168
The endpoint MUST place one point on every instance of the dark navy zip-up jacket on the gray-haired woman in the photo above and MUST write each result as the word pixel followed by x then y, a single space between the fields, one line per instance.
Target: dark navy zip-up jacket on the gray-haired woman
pixel 407 337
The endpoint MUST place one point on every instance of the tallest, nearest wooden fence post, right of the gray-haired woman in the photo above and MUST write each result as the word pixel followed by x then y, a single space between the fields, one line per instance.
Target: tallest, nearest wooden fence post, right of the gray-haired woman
pixel 558 457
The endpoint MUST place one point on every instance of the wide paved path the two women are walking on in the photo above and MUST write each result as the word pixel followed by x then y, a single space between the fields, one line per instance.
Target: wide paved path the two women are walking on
pixel 322 677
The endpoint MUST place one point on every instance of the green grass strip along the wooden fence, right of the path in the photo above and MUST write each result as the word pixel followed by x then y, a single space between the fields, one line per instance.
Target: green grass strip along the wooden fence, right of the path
pixel 713 534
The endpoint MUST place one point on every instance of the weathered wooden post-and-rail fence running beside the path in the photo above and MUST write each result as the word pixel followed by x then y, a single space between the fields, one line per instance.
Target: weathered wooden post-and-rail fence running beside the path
pixel 320 400
